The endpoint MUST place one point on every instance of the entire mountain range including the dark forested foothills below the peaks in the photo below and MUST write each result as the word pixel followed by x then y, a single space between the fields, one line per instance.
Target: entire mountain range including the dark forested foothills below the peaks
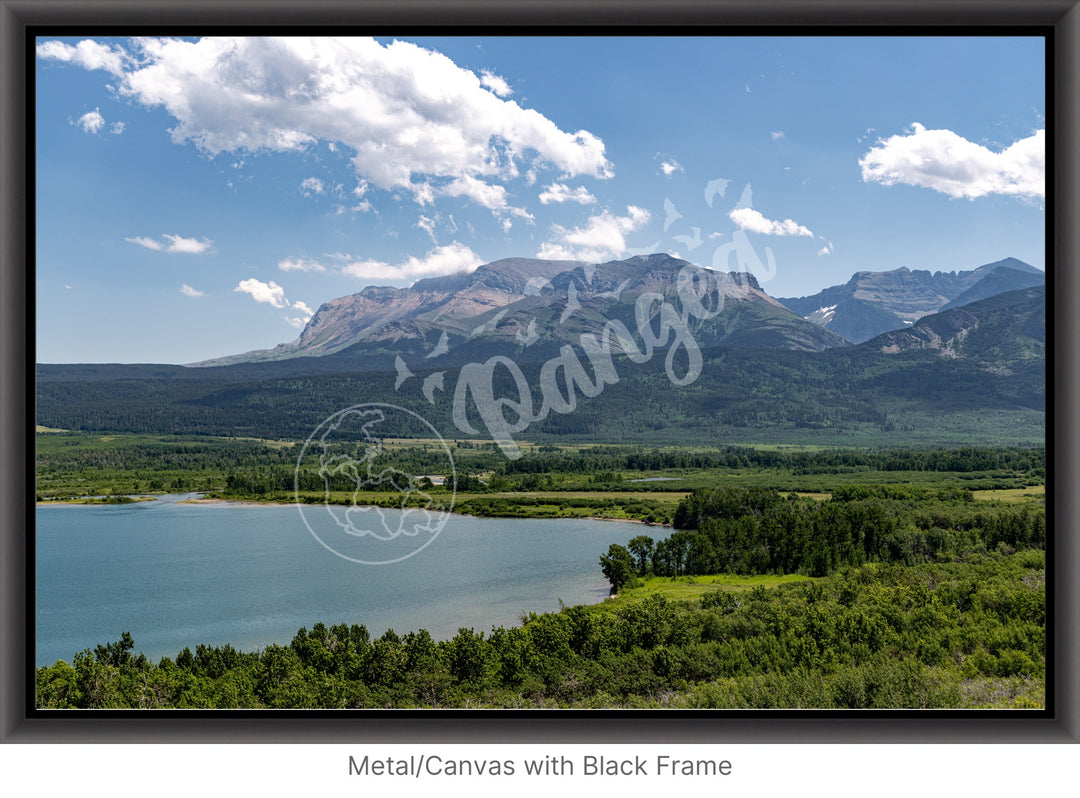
pixel 957 375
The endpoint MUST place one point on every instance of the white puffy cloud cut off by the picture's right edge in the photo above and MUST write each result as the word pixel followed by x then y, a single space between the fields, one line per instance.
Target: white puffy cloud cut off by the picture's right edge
pixel 947 163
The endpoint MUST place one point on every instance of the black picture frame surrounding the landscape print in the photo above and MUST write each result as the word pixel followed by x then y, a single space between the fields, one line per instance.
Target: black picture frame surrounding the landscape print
pixel 20 20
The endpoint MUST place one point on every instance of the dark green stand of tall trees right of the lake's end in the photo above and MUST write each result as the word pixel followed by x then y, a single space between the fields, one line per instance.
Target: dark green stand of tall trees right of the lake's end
pixel 757 531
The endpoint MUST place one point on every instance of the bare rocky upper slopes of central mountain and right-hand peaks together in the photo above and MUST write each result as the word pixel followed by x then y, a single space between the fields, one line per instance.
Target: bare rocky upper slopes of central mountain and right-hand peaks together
pixel 529 302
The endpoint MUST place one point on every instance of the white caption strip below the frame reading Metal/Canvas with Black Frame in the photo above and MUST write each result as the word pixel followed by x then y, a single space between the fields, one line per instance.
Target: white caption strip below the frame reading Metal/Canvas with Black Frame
pixel 882 772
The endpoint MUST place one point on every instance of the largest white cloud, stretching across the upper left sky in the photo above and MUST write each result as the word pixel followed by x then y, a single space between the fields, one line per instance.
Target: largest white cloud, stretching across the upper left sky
pixel 415 120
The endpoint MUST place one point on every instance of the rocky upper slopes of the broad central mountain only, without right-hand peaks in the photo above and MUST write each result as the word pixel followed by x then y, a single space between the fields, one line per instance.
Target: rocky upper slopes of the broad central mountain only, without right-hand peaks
pixel 532 301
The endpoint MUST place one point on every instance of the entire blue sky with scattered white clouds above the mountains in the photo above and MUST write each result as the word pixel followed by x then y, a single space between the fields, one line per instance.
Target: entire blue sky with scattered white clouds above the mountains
pixel 199 198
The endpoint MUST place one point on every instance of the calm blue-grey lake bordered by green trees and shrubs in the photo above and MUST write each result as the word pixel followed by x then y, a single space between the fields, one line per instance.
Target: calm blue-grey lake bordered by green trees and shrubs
pixel 179 575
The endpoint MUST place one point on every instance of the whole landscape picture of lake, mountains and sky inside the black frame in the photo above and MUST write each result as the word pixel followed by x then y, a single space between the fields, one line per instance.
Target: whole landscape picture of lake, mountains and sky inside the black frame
pixel 541 373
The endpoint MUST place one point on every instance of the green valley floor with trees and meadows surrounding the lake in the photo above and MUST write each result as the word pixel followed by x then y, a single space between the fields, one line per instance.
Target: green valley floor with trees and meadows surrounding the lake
pixel 793 579
